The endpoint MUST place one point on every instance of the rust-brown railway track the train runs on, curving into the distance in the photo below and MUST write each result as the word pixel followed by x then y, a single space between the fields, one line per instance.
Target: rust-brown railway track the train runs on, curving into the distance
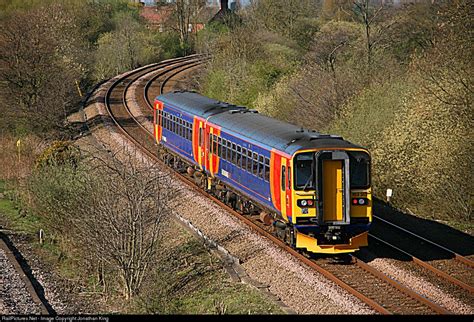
pixel 379 291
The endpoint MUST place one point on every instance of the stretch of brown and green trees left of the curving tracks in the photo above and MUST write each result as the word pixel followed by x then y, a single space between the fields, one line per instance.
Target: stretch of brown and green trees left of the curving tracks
pixel 53 52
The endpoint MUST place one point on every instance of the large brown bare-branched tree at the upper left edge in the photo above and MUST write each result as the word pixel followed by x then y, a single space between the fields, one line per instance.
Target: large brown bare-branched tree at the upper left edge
pixel 40 65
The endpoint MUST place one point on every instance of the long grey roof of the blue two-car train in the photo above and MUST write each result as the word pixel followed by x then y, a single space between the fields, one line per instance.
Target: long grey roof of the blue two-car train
pixel 246 123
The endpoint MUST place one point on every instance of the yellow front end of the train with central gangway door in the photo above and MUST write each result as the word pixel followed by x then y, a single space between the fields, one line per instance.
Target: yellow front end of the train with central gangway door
pixel 330 200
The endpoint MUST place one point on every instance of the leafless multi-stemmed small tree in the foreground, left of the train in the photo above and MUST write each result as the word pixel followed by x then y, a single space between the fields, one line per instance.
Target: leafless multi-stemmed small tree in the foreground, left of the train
pixel 122 221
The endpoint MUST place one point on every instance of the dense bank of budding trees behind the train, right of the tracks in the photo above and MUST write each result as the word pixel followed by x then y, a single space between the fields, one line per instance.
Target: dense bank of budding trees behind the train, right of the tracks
pixel 396 80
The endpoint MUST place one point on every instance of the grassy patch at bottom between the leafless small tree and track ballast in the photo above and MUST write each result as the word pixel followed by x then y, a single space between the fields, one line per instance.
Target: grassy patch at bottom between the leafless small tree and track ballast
pixel 190 280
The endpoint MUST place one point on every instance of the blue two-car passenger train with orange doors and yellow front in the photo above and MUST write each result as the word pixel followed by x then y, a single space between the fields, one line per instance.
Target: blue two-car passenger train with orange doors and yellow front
pixel 312 190
